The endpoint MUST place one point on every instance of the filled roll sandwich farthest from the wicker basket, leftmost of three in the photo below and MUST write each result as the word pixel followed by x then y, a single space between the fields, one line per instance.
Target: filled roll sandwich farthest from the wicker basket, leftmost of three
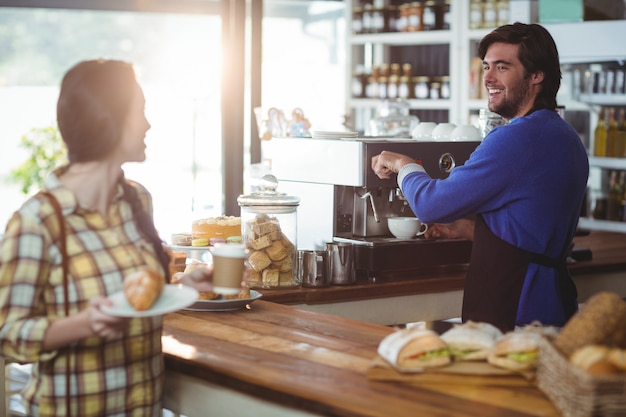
pixel 414 350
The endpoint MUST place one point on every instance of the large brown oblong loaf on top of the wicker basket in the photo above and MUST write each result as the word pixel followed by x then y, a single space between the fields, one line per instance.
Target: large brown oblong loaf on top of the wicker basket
pixel 601 321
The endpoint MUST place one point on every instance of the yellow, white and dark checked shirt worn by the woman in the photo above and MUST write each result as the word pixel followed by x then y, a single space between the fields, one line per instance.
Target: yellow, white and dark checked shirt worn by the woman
pixel 120 377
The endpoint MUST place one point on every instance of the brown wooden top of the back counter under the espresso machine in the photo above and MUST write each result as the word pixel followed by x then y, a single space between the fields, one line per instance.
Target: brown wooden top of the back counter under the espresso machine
pixel 607 256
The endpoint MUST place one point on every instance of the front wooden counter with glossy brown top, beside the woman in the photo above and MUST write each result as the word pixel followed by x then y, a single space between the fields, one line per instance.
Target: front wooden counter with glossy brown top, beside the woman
pixel 275 360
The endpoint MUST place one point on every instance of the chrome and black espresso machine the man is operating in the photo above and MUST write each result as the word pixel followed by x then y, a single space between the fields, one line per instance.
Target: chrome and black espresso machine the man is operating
pixel 341 199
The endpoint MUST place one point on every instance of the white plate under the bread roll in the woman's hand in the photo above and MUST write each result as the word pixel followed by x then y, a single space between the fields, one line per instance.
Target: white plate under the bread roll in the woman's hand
pixel 173 298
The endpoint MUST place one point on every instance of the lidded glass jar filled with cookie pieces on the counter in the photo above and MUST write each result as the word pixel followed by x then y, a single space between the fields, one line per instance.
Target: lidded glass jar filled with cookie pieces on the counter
pixel 269 232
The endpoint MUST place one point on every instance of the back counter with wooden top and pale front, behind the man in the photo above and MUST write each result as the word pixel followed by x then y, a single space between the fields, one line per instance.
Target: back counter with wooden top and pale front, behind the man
pixel 437 292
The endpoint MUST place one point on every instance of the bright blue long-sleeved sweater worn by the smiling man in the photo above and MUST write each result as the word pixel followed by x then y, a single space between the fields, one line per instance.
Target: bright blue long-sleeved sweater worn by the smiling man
pixel 528 180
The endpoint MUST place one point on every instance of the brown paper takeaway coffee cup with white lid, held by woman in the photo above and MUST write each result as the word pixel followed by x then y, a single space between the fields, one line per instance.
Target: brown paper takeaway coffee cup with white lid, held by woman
pixel 228 267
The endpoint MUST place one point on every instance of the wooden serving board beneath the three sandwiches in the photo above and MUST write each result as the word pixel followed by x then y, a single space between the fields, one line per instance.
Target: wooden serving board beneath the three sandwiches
pixel 469 372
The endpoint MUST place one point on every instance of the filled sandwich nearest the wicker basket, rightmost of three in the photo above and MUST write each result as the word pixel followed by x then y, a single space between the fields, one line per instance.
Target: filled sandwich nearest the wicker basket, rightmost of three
pixel 516 351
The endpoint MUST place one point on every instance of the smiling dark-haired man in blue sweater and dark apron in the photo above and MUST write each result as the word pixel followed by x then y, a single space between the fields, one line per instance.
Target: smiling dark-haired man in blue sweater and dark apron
pixel 522 188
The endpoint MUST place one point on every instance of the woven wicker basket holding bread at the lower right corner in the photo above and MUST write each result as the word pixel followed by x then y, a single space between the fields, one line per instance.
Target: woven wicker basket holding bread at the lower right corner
pixel 575 392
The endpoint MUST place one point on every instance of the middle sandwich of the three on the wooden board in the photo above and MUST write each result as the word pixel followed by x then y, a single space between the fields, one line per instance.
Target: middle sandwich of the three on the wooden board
pixel 471 341
